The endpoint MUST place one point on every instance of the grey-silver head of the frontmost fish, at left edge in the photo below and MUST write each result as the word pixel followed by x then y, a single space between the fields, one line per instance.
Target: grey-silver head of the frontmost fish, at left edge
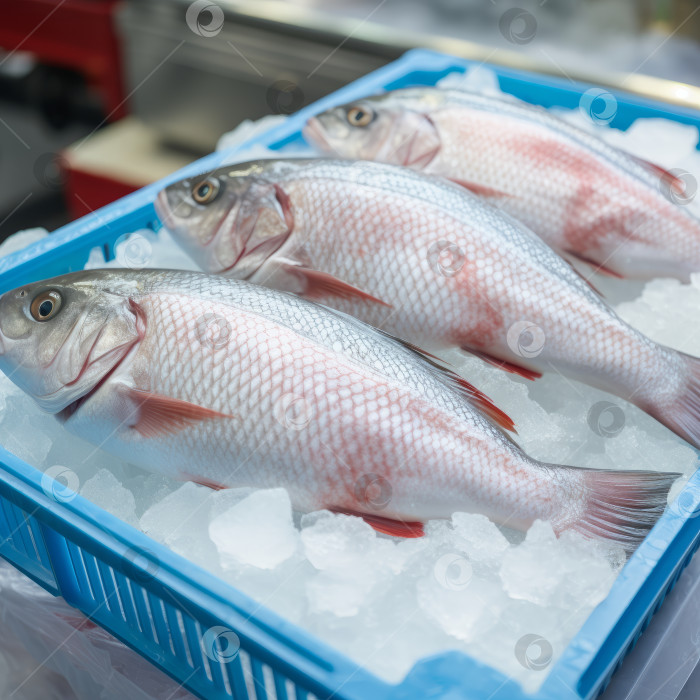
pixel 61 337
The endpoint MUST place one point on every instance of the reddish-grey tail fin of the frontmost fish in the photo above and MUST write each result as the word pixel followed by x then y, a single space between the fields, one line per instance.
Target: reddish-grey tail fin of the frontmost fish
pixel 621 506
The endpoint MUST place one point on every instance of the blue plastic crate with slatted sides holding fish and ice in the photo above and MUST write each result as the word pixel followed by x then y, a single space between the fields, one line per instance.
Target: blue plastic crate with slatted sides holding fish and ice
pixel 173 612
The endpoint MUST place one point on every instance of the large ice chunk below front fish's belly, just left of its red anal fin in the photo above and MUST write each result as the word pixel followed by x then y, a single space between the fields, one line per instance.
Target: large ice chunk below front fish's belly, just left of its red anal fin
pixel 257 531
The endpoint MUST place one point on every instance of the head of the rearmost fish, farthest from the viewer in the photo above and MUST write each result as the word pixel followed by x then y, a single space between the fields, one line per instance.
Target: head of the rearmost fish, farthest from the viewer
pixel 385 128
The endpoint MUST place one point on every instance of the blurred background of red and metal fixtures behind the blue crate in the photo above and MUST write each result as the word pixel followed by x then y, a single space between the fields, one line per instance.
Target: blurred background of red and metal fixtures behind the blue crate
pixel 99 97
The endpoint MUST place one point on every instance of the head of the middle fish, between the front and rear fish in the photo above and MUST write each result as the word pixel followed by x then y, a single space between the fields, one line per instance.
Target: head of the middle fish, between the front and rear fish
pixel 229 220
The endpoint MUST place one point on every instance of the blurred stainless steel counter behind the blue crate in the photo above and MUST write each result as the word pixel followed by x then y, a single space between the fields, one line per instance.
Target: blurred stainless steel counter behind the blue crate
pixel 196 69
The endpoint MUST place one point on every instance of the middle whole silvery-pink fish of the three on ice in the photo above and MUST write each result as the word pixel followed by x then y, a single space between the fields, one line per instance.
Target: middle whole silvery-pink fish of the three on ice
pixel 430 262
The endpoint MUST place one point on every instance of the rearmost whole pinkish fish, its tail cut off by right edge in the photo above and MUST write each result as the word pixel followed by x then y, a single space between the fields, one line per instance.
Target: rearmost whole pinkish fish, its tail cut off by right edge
pixel 585 198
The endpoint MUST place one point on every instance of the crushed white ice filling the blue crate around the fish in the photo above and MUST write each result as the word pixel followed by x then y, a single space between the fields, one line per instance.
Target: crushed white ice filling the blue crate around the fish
pixel 467 585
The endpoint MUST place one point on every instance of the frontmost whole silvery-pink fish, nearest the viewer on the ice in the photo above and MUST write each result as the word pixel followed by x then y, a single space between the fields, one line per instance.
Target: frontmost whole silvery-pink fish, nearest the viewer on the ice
pixel 230 384
